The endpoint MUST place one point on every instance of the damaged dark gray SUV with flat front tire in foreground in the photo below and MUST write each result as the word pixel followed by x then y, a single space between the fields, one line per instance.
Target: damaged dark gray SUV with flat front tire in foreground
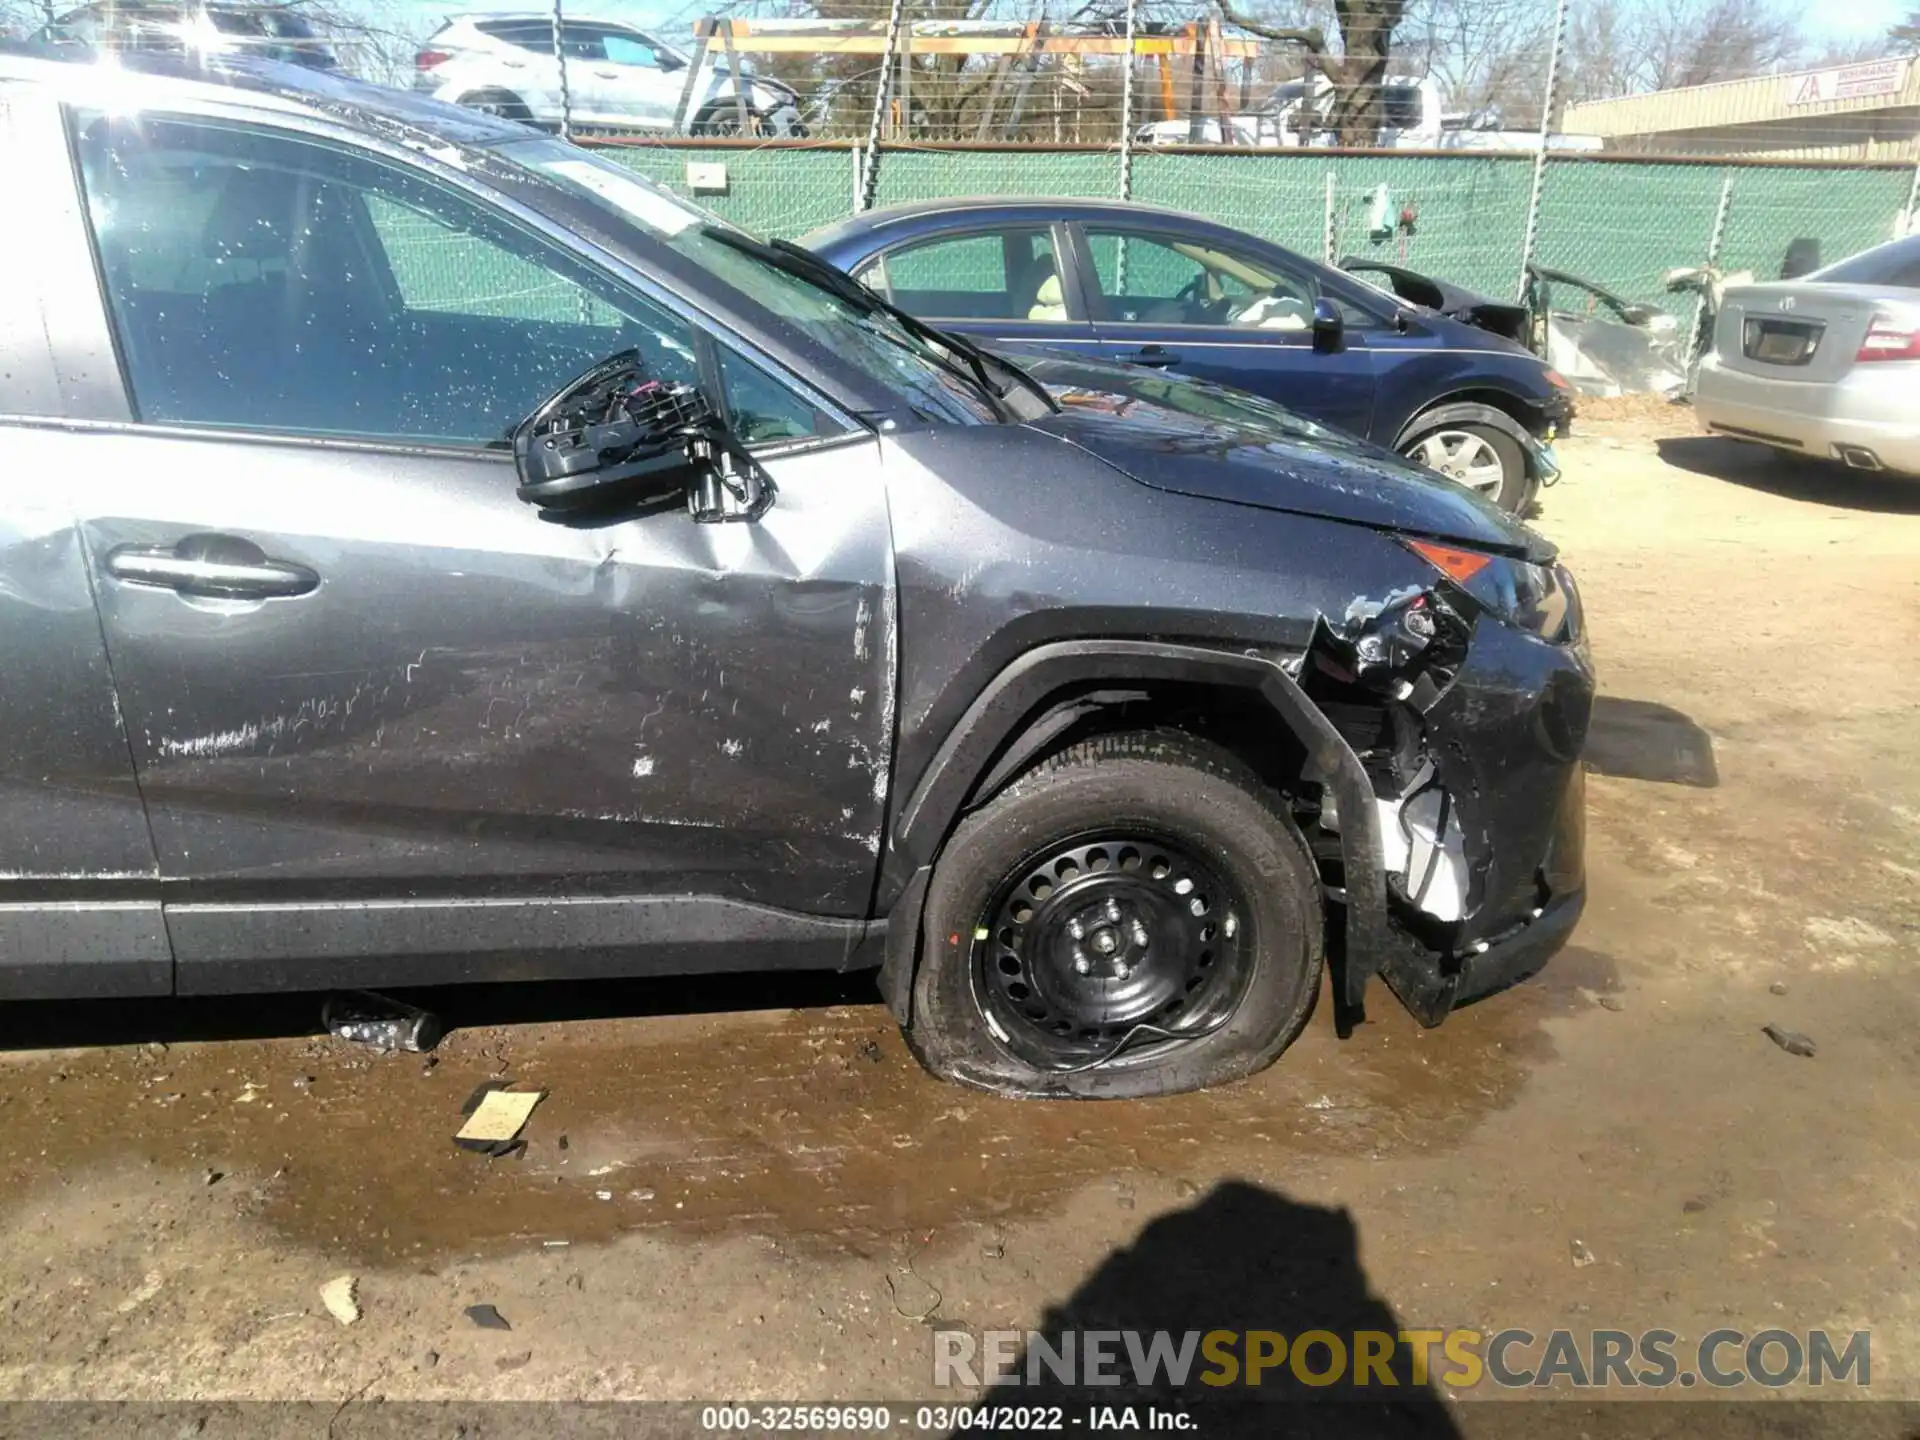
pixel 431 554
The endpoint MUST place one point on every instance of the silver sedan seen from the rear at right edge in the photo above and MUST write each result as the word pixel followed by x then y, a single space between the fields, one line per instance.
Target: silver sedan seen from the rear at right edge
pixel 1825 366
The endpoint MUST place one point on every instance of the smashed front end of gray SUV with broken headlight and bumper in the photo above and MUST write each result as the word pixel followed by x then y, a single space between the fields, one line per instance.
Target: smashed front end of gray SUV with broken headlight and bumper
pixel 1466 706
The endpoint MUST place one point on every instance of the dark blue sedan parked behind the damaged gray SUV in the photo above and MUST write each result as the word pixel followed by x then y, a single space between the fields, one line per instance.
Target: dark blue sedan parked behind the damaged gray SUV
pixel 1155 287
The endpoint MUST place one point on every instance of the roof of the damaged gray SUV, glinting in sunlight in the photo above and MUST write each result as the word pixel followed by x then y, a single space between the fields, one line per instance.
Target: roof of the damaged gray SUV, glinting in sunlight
pixel 256 84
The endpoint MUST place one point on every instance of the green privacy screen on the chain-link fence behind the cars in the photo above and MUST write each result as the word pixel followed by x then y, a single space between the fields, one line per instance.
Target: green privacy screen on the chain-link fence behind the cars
pixel 1620 224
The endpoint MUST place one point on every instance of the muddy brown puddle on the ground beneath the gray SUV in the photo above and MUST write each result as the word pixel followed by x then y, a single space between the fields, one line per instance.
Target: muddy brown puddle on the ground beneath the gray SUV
pixel 811 1124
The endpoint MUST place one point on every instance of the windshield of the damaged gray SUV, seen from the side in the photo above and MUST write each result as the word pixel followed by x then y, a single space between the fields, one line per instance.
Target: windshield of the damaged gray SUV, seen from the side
pixel 865 337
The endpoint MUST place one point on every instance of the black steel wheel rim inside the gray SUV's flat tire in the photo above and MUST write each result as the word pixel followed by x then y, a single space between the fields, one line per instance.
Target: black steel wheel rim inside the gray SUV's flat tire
pixel 1103 938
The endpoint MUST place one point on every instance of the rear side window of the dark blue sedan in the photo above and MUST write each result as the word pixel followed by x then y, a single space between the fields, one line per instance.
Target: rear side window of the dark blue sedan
pixel 992 276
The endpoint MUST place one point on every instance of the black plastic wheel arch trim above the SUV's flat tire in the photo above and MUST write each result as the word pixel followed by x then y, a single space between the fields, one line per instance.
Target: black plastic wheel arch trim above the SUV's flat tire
pixel 976 757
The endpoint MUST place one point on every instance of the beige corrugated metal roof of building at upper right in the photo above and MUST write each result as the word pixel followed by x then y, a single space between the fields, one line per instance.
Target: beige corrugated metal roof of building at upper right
pixel 1756 101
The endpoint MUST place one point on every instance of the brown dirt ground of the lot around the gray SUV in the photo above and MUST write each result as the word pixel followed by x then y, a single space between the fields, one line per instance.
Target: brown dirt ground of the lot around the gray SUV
pixel 777 1203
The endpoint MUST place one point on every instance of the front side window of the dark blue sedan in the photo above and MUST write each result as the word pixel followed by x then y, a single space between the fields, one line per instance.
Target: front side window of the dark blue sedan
pixel 1155 279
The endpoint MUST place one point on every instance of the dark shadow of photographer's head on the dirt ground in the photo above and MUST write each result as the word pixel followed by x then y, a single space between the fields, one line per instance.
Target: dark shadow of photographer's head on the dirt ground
pixel 1243 1260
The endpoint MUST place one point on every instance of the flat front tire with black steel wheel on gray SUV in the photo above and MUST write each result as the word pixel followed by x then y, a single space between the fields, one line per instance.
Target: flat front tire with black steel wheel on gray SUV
pixel 1134 917
